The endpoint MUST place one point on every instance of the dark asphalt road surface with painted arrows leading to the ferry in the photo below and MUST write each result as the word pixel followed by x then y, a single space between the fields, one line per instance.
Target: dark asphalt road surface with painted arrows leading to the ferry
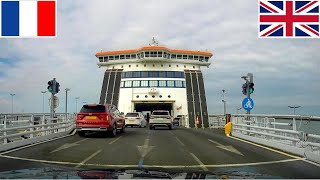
pixel 179 149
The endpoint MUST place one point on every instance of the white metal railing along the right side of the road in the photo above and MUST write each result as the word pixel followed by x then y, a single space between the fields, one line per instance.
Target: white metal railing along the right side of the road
pixel 264 129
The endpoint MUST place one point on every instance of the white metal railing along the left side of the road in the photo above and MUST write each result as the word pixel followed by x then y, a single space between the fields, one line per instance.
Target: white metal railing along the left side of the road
pixel 22 129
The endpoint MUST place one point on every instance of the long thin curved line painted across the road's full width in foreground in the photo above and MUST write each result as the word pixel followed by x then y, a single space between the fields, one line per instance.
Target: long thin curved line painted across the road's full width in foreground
pixel 156 166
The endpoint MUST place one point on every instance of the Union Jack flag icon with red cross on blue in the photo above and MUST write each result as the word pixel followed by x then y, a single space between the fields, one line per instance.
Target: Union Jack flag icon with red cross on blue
pixel 289 19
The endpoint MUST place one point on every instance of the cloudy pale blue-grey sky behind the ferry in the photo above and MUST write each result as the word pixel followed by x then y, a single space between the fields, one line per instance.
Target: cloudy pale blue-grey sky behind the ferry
pixel 286 71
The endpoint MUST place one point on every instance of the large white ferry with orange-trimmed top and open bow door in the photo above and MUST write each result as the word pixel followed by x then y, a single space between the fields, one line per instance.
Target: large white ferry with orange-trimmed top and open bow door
pixel 156 78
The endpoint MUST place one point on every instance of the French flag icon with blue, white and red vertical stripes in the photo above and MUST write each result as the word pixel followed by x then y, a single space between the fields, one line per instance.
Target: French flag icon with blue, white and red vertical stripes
pixel 28 18
